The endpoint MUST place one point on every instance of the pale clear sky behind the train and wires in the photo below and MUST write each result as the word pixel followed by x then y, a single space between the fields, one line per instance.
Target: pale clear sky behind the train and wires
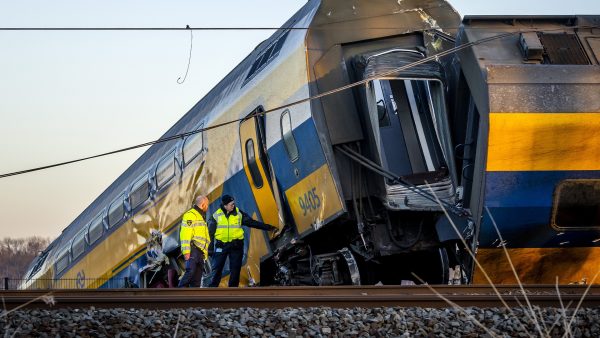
pixel 71 94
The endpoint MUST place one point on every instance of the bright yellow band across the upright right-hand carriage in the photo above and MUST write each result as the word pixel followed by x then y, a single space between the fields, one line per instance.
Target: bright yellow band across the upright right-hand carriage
pixel 544 141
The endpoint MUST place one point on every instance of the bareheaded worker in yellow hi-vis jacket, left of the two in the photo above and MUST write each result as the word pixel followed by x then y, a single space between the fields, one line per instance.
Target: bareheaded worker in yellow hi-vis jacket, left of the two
pixel 195 240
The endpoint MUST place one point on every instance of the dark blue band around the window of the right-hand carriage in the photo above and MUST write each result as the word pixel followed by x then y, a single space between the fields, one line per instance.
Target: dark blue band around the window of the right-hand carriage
pixel 521 205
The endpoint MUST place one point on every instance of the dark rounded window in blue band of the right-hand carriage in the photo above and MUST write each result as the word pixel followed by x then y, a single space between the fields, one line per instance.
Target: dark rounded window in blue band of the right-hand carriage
pixel 577 204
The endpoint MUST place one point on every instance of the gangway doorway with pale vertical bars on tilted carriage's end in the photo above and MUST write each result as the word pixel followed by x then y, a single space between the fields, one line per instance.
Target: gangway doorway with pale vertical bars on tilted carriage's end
pixel 406 121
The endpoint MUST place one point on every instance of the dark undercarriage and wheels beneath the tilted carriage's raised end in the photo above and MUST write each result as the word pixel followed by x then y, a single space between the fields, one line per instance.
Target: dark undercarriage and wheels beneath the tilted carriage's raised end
pixel 401 248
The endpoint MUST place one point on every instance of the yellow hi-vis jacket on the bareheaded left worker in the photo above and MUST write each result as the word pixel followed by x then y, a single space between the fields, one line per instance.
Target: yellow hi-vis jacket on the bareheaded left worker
pixel 194 230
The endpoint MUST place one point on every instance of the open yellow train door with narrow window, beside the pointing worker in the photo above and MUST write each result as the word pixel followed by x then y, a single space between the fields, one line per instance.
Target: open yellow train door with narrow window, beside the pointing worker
pixel 258 172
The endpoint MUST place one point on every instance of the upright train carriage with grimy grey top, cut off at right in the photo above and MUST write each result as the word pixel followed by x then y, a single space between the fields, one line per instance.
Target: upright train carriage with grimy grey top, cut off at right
pixel 532 148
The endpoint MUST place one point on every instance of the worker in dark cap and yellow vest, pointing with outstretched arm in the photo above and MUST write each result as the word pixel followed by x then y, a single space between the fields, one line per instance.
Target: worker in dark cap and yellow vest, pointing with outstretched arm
pixel 227 234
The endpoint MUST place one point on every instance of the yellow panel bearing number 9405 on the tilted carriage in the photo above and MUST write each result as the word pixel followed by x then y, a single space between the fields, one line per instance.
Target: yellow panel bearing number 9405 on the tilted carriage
pixel 314 199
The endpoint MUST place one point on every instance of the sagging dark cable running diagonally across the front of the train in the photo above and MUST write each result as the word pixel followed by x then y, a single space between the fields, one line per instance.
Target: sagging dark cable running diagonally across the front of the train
pixel 294 103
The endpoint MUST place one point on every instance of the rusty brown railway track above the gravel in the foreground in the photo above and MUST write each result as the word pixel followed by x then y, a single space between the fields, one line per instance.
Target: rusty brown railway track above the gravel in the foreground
pixel 280 297
